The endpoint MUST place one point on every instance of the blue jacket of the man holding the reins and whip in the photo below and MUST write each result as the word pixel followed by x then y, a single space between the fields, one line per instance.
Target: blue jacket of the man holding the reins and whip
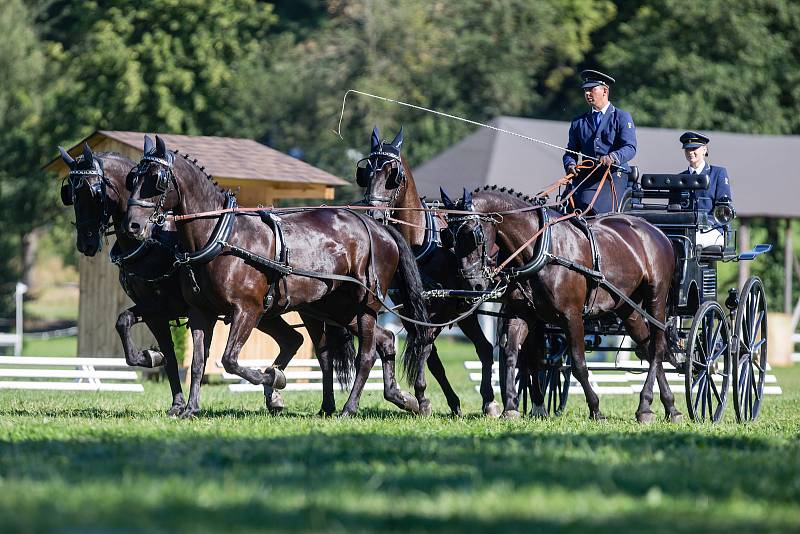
pixel 616 136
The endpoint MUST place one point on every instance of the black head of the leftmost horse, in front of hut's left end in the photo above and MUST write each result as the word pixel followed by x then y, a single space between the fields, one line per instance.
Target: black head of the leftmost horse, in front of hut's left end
pixel 86 189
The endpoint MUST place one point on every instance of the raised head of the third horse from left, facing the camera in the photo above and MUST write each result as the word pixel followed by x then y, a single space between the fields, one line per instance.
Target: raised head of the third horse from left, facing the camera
pixel 381 173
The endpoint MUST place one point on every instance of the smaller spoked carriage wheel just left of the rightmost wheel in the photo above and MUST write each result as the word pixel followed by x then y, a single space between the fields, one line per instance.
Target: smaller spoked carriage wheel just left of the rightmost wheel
pixel 708 363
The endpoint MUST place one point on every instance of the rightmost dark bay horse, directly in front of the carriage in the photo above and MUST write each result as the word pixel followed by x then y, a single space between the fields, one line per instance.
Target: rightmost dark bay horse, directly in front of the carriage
pixel 634 255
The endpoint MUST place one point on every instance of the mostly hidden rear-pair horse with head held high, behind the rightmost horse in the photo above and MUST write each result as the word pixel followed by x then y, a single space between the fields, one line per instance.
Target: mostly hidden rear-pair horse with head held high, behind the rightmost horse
pixel 388 183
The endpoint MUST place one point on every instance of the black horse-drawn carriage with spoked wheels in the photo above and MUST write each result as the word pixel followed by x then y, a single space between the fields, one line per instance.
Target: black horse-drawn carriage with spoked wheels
pixel 718 349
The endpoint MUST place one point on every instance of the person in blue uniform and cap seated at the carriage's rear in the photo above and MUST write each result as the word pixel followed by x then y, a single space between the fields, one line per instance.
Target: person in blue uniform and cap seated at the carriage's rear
pixel 695 149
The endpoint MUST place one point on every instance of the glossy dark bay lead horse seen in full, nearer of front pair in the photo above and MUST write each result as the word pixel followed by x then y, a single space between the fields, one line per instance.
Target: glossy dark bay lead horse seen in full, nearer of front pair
pixel 247 268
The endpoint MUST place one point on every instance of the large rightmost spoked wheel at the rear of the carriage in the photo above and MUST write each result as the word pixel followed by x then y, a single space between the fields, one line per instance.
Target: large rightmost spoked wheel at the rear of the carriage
pixel 750 370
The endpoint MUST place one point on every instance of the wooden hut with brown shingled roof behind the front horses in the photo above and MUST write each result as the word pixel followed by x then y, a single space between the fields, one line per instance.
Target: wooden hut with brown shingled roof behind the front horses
pixel 260 175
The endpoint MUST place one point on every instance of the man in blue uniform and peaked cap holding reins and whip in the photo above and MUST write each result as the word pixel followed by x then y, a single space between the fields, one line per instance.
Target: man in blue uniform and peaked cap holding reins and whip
pixel 605 134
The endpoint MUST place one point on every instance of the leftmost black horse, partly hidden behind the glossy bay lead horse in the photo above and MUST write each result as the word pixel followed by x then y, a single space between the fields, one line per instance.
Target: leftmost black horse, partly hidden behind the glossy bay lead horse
pixel 96 187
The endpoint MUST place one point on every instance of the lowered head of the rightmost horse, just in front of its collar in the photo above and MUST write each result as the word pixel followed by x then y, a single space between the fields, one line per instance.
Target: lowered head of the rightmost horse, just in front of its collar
pixel 473 238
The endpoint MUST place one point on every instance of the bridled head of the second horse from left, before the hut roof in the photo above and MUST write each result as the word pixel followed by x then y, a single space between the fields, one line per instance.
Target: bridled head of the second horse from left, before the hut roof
pixel 153 190
